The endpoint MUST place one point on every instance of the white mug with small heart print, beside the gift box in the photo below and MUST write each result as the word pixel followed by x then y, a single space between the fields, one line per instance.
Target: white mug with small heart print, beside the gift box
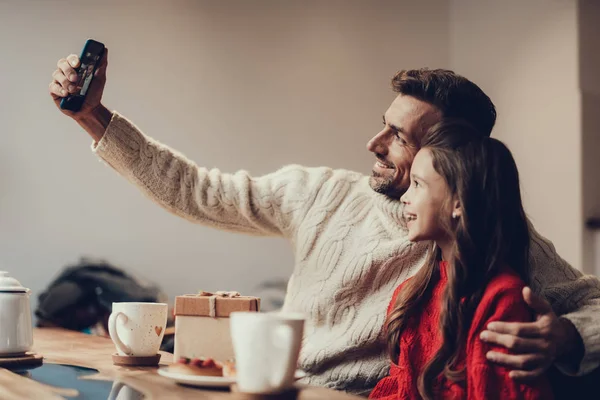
pixel 137 329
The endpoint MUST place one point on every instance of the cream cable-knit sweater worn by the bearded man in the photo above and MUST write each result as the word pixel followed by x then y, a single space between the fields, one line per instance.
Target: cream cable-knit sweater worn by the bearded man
pixel 350 249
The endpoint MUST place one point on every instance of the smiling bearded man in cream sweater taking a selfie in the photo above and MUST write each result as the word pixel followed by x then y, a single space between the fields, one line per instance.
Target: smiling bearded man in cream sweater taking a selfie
pixel 351 250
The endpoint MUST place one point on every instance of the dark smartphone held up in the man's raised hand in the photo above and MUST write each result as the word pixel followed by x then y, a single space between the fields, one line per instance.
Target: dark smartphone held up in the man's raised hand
pixel 90 58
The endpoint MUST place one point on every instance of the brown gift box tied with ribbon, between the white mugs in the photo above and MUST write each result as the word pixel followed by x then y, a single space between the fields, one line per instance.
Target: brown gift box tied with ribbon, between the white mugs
pixel 202 323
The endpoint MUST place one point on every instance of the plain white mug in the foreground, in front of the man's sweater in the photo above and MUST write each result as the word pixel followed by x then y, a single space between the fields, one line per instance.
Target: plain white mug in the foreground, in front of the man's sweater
pixel 266 347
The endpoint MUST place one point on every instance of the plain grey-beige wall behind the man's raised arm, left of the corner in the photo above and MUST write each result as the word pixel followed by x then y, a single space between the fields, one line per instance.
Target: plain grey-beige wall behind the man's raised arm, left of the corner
pixel 232 84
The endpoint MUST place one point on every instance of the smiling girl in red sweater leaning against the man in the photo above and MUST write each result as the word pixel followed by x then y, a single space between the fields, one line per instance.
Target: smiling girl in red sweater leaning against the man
pixel 465 198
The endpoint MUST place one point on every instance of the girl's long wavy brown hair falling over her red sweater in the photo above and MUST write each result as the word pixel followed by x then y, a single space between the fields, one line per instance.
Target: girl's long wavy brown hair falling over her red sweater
pixel 492 231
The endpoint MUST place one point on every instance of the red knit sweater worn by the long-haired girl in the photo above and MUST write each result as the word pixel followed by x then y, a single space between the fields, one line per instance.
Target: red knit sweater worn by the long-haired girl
pixel 501 301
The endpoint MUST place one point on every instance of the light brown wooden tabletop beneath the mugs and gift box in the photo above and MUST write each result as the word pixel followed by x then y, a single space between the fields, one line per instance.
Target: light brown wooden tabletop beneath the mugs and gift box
pixel 60 346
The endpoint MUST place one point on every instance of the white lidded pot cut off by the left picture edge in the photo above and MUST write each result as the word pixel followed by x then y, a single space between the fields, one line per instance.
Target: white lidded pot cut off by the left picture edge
pixel 16 329
